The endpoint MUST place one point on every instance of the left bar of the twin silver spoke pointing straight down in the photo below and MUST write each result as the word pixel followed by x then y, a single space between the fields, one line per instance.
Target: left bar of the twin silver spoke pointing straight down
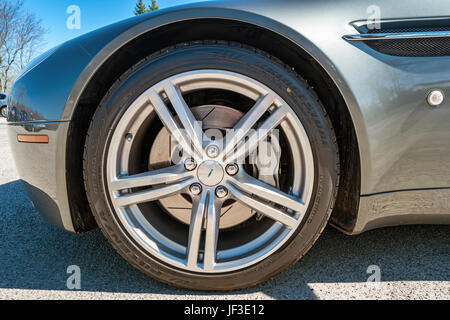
pixel 196 228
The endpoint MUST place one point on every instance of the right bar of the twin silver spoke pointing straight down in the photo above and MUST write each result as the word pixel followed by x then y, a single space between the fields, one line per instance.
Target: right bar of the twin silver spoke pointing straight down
pixel 212 233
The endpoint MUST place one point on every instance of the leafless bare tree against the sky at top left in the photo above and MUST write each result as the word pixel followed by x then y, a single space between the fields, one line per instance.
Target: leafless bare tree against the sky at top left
pixel 21 34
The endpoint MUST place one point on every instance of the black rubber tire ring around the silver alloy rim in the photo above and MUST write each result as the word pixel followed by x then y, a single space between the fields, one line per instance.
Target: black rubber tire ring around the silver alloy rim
pixel 231 57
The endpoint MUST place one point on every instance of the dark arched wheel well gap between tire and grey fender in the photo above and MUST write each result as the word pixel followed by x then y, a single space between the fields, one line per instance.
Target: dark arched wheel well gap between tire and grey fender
pixel 346 208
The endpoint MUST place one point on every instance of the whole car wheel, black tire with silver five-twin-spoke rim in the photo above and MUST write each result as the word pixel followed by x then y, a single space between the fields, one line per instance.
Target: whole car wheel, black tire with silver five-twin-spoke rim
pixel 192 210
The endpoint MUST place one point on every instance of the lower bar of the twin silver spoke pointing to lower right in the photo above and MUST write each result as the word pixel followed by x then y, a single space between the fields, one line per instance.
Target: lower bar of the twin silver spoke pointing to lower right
pixel 264 208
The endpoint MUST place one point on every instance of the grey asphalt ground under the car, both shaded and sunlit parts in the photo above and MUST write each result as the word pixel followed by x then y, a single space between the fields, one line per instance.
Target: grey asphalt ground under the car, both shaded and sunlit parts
pixel 34 257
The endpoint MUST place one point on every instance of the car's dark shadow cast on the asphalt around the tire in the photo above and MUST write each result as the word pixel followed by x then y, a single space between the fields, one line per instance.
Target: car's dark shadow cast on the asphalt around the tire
pixel 35 256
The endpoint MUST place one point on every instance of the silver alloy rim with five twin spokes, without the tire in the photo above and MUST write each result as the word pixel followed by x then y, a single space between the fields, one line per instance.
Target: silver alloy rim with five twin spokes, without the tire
pixel 202 251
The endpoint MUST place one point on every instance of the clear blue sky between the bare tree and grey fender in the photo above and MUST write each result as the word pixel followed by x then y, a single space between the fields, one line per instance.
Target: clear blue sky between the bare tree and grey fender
pixel 94 14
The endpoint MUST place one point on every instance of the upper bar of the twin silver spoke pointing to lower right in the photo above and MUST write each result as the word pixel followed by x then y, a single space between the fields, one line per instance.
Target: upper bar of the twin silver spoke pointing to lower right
pixel 267 192
